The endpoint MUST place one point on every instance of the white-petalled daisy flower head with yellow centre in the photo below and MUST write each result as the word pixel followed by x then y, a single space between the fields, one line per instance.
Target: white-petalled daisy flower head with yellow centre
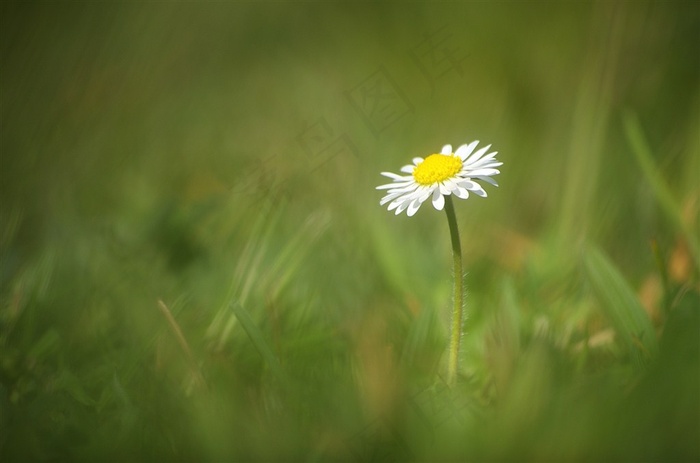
pixel 440 175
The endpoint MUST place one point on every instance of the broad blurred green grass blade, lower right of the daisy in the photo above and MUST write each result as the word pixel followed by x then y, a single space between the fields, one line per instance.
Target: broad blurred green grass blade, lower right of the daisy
pixel 620 304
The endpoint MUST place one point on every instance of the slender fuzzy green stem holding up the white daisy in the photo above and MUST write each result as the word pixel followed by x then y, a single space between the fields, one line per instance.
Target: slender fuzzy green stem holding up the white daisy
pixel 457 310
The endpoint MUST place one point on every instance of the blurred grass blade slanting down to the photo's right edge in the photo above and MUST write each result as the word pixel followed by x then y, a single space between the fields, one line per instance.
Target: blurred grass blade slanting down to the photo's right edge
pixel 663 195
